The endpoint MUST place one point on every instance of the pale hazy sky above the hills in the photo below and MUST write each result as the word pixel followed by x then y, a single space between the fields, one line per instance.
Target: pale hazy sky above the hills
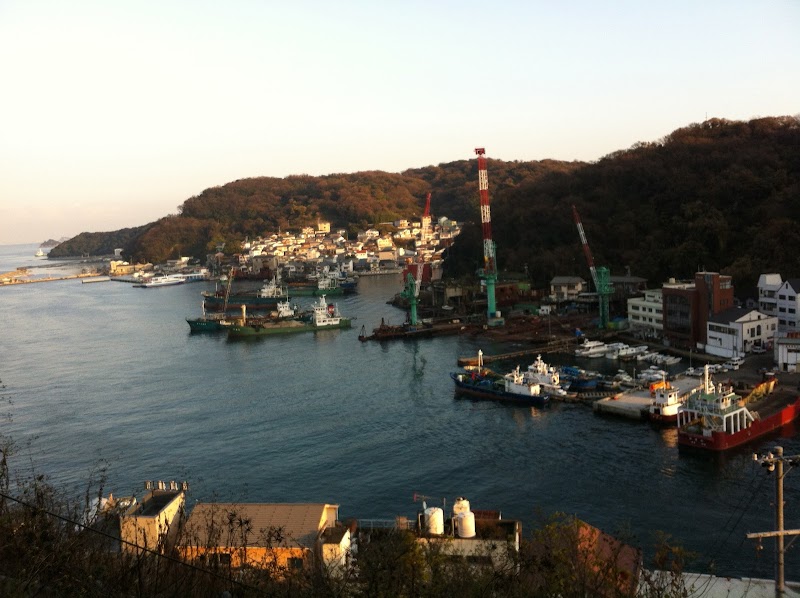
pixel 115 112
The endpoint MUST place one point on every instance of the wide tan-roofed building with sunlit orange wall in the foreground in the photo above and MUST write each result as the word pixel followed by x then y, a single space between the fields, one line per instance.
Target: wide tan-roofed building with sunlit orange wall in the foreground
pixel 279 536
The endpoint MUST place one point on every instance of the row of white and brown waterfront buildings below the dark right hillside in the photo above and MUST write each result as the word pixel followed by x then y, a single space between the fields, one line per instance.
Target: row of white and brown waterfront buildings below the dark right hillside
pixel 705 316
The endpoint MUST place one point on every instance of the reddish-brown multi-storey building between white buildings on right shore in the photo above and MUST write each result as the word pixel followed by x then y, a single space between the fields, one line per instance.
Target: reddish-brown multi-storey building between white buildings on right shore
pixel 688 306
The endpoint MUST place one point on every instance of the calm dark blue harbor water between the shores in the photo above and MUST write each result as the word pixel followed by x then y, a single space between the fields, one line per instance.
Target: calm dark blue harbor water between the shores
pixel 108 375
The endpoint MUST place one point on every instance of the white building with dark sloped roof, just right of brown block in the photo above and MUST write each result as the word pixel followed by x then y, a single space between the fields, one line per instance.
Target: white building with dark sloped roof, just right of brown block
pixel 736 331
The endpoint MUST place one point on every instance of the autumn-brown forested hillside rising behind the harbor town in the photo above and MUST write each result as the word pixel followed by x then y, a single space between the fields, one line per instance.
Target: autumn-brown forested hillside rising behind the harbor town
pixel 721 195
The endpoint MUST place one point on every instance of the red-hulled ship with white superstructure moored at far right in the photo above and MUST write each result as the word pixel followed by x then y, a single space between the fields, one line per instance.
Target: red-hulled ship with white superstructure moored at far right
pixel 717 419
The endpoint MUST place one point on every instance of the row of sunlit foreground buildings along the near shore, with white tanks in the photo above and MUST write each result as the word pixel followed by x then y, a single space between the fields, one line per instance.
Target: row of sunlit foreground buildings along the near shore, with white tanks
pixel 283 537
